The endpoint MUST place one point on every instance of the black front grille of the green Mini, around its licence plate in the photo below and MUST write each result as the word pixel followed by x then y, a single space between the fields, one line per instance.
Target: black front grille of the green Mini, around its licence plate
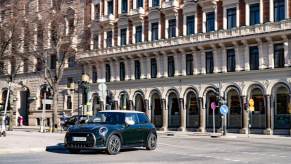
pixel 90 140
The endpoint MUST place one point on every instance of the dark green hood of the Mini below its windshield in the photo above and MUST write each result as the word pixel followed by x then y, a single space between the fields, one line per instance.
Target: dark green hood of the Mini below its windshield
pixel 88 127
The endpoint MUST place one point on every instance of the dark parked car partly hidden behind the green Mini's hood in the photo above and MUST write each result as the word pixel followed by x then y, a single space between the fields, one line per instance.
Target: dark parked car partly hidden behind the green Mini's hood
pixel 66 122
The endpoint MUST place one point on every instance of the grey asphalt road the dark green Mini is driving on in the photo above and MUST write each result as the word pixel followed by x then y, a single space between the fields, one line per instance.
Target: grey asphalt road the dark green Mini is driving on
pixel 192 150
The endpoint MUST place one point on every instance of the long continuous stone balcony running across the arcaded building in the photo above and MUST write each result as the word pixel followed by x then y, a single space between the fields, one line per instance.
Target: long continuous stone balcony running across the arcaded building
pixel 201 39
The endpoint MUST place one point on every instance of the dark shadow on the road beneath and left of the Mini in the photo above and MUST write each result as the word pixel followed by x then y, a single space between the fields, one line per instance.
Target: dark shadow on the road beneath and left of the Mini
pixel 60 149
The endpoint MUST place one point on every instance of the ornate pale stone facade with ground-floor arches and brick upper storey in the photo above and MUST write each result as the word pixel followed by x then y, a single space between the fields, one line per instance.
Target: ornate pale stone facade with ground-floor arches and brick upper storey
pixel 173 58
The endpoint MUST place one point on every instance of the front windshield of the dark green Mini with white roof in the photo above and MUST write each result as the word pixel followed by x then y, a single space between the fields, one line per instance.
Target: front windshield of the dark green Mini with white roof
pixel 107 118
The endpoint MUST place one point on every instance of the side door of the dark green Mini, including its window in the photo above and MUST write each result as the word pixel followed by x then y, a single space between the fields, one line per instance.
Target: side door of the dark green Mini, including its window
pixel 131 132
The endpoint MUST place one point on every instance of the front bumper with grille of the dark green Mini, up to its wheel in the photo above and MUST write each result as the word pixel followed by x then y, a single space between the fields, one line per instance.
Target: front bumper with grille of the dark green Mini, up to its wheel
pixel 92 141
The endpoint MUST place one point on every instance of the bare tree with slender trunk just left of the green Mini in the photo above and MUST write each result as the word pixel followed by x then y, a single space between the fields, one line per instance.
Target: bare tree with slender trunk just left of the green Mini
pixel 64 29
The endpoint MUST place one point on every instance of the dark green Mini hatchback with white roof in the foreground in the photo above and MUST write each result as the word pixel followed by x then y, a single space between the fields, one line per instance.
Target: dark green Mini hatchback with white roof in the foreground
pixel 111 131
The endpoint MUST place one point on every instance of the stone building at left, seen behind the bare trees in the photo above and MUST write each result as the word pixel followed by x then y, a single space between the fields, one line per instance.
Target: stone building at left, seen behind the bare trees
pixel 27 89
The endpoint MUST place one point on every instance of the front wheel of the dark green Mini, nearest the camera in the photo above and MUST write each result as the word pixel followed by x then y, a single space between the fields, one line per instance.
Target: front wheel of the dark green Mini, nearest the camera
pixel 113 145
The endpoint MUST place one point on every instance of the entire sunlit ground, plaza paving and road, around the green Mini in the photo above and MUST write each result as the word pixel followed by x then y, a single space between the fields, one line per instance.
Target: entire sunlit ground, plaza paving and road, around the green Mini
pixel 34 147
